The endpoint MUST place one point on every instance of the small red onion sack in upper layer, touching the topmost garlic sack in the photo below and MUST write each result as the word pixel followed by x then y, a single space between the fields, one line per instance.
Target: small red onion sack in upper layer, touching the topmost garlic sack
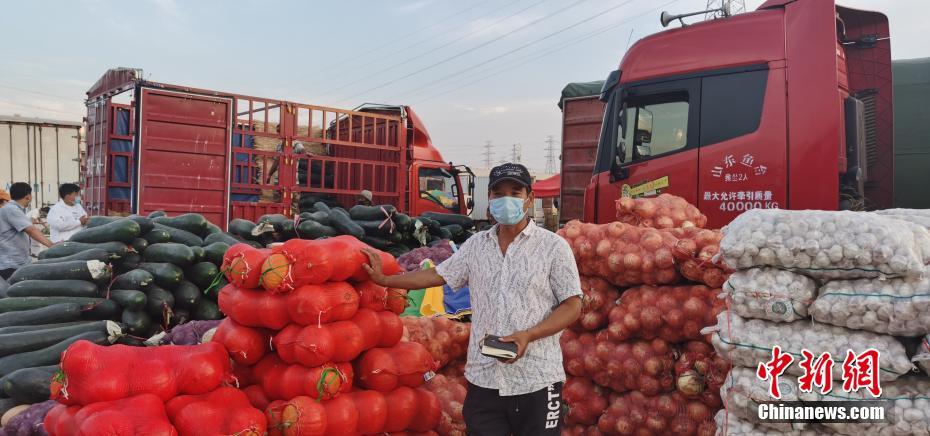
pixel 694 254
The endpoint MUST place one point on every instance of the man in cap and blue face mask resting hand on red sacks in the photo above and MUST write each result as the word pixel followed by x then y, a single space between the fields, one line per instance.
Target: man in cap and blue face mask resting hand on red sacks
pixel 524 286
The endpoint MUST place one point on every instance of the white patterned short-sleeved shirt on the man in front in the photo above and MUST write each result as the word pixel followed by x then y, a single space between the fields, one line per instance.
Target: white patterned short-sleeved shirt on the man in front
pixel 512 293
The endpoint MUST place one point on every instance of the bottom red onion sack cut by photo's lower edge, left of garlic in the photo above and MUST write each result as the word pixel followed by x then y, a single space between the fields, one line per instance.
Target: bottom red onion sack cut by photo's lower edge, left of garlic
pixel 635 413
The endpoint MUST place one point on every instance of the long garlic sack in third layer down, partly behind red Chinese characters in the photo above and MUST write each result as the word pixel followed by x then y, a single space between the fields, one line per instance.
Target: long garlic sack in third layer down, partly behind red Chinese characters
pixel 746 342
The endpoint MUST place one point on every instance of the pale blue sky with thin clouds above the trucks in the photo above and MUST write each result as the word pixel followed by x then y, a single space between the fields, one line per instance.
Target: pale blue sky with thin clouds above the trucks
pixel 475 70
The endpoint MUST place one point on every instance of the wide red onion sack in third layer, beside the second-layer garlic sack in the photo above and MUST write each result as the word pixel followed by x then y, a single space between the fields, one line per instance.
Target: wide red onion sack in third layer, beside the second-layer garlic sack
pixel 671 313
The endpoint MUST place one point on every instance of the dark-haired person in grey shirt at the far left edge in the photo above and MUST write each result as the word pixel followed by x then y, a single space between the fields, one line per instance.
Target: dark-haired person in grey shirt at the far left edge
pixel 16 229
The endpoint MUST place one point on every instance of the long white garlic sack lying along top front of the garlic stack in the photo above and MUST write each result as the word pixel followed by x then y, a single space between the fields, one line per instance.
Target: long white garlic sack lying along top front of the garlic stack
pixel 827 245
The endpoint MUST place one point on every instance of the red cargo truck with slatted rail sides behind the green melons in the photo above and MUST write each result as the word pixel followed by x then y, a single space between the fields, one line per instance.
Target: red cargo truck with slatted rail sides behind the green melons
pixel 154 146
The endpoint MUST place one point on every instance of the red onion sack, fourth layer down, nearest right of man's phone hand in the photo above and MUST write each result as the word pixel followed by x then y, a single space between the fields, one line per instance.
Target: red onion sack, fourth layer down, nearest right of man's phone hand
pixel 644 366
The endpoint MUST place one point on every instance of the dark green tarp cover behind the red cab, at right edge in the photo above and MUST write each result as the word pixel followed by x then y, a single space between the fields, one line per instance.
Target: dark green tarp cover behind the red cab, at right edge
pixel 911 82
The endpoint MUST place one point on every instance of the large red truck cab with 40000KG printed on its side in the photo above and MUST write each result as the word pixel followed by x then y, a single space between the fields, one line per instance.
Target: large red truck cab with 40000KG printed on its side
pixel 789 106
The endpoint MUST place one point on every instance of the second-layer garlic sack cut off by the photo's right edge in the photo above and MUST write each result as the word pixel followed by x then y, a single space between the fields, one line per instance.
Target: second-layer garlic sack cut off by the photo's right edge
pixel 899 307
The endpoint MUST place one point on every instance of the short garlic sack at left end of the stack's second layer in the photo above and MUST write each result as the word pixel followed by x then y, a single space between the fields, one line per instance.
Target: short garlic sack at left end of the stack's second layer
pixel 769 293
